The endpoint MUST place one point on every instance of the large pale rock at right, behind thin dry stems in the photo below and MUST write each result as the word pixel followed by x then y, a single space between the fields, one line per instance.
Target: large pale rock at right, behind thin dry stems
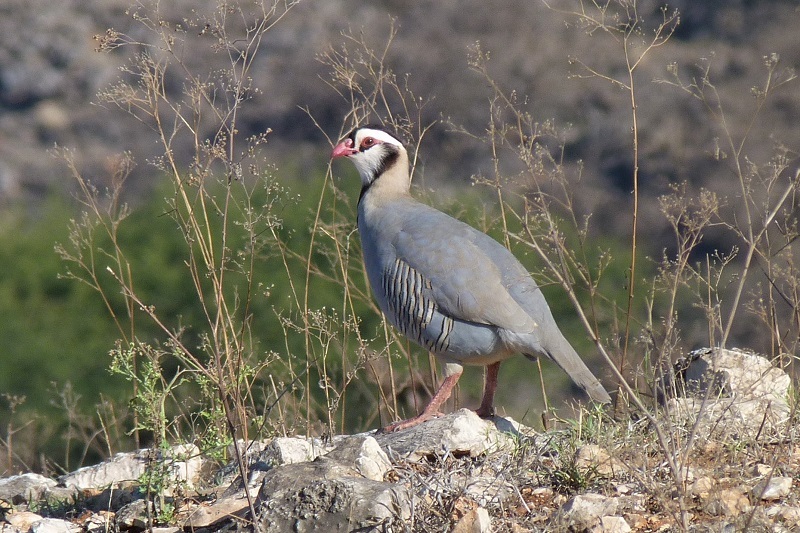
pixel 734 392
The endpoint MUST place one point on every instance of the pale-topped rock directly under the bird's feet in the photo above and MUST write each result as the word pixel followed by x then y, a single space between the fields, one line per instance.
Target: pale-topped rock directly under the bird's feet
pixel 460 433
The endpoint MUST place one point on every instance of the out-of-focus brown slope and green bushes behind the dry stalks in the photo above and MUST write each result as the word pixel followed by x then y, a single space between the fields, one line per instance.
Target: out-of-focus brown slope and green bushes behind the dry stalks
pixel 56 333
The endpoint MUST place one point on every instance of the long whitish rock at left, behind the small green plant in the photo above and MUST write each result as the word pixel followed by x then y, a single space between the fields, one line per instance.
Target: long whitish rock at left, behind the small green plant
pixel 183 465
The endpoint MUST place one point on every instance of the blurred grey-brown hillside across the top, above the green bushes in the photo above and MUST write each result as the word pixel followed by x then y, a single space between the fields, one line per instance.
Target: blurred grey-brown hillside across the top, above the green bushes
pixel 52 74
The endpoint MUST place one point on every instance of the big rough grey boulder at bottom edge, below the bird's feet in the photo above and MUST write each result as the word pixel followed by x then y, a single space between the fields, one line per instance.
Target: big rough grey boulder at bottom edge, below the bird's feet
pixel 324 495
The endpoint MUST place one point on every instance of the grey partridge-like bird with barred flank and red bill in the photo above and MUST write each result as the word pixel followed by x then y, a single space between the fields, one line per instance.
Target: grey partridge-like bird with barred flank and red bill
pixel 445 285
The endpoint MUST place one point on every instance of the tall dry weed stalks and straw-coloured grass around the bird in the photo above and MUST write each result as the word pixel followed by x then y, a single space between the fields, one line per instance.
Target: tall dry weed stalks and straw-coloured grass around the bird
pixel 224 204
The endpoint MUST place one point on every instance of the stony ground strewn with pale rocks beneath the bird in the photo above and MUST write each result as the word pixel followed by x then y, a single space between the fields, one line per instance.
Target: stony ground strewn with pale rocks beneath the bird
pixel 460 473
